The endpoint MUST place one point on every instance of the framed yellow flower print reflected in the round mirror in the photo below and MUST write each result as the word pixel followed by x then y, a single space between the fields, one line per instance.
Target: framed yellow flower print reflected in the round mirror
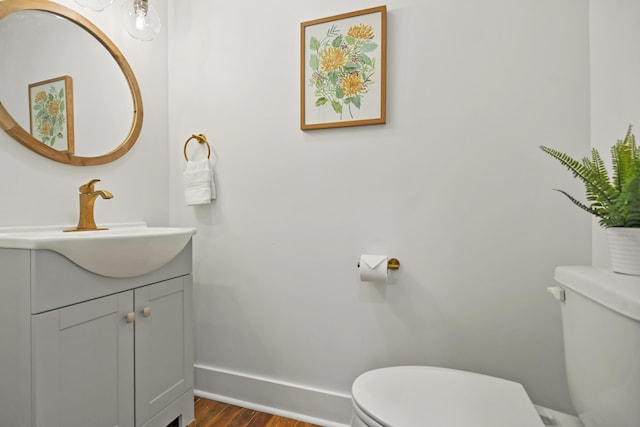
pixel 51 113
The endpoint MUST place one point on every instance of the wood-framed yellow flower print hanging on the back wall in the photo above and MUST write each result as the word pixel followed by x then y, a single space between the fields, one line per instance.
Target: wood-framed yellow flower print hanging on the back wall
pixel 343 70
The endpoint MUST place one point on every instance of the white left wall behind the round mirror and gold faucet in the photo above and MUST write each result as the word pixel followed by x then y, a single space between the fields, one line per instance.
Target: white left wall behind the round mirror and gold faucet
pixel 39 191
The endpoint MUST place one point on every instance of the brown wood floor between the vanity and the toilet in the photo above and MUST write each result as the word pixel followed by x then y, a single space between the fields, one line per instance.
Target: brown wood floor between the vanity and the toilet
pixel 210 413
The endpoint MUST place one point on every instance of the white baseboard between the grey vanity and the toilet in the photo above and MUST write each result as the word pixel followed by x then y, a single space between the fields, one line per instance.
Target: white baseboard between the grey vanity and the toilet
pixel 321 407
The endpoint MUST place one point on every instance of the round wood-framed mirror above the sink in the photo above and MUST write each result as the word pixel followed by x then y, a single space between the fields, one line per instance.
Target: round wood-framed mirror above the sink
pixel 66 91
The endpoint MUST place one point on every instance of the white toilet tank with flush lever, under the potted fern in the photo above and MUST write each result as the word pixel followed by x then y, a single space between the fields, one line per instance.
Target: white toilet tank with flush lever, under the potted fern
pixel 601 327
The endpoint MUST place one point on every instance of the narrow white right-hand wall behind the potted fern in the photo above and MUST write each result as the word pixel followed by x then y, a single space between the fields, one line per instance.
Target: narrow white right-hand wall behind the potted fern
pixel 615 87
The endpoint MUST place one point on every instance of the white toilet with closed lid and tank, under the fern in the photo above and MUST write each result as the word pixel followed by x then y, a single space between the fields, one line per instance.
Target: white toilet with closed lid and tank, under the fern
pixel 601 326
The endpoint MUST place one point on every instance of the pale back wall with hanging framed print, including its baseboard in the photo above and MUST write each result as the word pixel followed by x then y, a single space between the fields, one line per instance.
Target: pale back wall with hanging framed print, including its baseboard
pixel 454 185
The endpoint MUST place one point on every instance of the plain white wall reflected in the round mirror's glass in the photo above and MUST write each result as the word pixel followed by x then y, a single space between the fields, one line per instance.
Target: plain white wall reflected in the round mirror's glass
pixel 38 44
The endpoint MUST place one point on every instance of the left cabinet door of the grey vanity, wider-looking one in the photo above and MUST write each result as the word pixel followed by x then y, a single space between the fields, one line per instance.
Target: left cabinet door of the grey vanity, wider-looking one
pixel 83 364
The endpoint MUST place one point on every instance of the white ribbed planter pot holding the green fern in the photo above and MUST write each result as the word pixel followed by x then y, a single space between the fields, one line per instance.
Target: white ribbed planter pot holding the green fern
pixel 624 248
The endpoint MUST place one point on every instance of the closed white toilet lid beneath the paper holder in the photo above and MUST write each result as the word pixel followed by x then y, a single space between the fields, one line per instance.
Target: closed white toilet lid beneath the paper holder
pixel 408 396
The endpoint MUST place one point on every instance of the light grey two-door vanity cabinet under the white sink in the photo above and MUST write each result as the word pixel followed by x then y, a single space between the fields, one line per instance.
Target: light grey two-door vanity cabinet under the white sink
pixel 80 349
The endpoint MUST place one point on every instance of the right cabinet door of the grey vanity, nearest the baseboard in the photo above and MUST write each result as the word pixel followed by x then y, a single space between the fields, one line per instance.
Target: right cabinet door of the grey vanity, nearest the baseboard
pixel 163 343
